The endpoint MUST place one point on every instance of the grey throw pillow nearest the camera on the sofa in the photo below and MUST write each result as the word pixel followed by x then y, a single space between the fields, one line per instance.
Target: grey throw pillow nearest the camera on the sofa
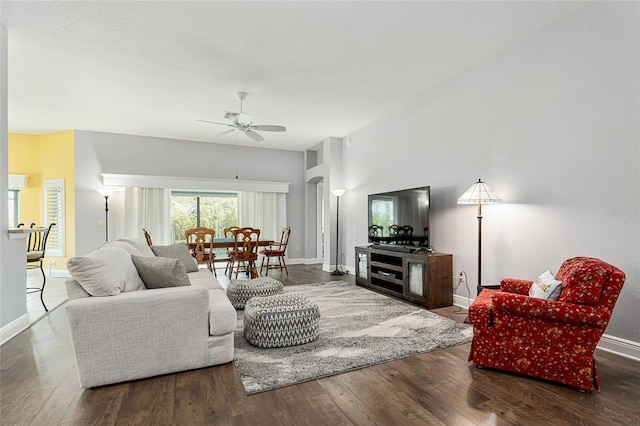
pixel 160 272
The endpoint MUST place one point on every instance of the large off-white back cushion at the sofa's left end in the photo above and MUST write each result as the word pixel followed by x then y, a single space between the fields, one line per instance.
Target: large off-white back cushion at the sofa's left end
pixel 105 272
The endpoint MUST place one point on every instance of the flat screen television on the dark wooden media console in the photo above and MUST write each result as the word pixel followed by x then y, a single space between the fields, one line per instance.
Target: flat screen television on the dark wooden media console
pixel 400 218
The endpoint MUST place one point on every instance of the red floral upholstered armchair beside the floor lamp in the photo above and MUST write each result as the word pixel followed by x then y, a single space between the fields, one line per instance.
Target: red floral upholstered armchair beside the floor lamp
pixel 548 339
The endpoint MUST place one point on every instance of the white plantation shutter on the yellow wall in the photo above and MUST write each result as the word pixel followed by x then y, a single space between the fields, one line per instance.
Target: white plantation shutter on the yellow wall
pixel 54 213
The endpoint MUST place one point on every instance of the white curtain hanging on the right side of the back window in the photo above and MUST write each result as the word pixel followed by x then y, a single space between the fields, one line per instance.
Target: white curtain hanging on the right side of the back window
pixel 264 210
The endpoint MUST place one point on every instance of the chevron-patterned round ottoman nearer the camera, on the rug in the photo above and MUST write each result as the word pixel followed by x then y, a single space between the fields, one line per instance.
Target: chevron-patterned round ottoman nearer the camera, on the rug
pixel 281 320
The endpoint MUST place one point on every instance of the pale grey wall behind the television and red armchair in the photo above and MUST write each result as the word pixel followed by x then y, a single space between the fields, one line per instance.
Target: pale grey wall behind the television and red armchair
pixel 552 126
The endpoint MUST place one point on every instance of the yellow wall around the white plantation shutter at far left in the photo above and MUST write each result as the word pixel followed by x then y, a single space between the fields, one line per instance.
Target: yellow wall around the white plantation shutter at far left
pixel 43 157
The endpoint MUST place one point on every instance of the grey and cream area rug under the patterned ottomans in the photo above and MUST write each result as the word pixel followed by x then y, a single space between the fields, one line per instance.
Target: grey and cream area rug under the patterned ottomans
pixel 358 328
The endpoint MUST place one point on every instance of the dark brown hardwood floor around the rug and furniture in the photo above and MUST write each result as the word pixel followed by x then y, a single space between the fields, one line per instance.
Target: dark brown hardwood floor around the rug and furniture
pixel 39 386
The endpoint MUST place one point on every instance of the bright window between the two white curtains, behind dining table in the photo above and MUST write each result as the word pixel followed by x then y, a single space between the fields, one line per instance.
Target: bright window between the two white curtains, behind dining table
pixel 217 210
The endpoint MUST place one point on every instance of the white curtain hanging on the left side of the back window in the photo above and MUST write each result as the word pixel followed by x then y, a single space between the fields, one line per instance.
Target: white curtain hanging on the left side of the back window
pixel 148 208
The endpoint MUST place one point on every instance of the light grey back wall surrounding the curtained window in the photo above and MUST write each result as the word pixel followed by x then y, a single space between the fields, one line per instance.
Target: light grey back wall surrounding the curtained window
pixel 98 153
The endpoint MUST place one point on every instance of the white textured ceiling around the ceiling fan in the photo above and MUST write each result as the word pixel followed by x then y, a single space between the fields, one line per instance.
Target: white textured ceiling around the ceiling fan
pixel 320 68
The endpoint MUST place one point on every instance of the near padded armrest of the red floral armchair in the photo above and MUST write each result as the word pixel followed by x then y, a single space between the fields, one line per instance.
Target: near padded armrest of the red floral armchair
pixel 566 312
